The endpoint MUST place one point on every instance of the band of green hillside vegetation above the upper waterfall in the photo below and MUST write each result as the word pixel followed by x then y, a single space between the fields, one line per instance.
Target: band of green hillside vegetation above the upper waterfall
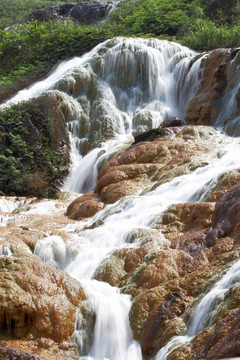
pixel 30 50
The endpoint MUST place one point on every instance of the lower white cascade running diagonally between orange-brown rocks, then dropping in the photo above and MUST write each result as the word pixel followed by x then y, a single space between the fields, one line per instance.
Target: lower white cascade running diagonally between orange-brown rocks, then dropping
pixel 81 256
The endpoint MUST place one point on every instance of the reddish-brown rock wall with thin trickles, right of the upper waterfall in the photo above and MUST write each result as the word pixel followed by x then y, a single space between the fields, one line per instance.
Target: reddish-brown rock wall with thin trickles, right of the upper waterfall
pixel 217 89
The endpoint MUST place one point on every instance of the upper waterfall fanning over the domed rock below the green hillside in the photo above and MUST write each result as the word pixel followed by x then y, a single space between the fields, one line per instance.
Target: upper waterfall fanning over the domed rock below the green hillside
pixel 121 88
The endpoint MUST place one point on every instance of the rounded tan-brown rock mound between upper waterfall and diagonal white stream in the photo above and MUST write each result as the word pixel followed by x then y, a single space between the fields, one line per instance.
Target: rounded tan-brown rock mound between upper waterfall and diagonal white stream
pixel 157 158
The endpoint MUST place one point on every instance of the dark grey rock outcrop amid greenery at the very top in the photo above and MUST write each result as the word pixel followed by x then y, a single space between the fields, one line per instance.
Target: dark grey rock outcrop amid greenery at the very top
pixel 86 12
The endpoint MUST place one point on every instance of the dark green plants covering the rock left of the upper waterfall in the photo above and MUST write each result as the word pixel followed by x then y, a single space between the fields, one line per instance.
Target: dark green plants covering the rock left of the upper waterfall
pixel 23 146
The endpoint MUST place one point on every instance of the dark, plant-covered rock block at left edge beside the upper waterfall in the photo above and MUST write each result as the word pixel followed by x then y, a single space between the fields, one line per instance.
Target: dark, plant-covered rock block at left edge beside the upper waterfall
pixel 39 142
